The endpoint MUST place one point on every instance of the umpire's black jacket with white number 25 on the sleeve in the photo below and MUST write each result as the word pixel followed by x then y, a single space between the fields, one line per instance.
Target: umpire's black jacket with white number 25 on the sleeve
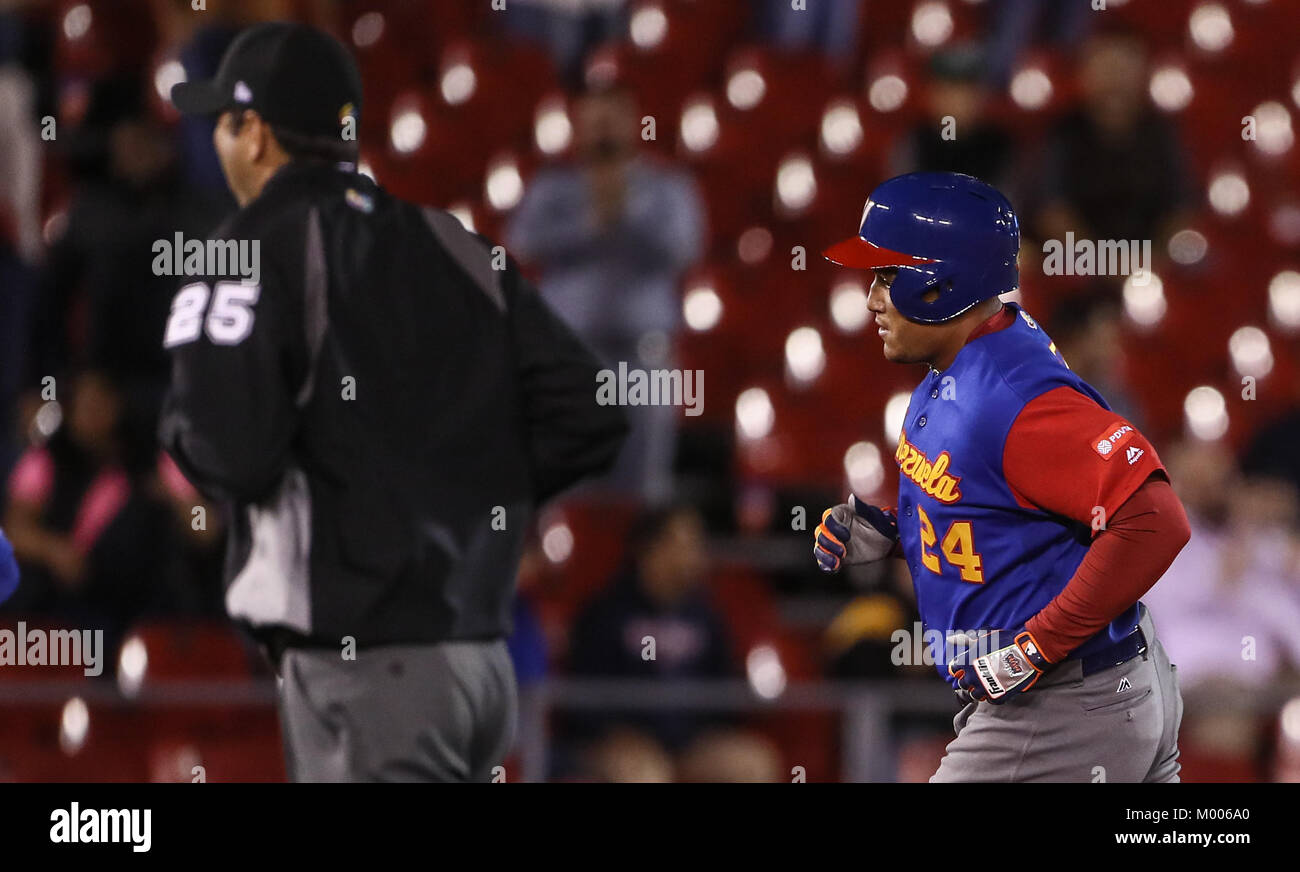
pixel 382 415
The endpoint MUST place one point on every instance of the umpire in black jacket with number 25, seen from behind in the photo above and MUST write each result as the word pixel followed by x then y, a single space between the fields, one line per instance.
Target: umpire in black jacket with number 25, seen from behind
pixel 382 401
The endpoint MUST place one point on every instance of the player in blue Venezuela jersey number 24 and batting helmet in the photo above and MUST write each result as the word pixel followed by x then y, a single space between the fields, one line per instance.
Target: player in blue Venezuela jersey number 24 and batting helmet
pixel 1032 517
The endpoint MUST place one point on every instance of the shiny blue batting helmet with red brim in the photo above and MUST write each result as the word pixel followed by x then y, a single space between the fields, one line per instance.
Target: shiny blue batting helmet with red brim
pixel 952 238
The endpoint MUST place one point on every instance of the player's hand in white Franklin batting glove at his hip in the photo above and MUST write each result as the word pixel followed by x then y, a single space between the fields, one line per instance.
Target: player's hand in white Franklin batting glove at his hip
pixel 996 665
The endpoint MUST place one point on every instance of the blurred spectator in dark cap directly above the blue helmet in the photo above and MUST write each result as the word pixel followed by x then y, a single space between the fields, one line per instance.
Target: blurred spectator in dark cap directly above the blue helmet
pixel 974 145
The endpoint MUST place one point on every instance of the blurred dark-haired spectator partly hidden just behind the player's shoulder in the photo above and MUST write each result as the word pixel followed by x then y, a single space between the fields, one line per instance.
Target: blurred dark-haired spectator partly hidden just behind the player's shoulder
pixel 1087 329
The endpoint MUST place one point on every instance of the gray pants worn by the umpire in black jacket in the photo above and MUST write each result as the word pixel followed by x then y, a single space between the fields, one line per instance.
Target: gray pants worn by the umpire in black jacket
pixel 400 713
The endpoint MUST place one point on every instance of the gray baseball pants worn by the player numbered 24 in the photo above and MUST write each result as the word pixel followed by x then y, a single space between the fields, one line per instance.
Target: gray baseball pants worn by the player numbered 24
pixel 1120 725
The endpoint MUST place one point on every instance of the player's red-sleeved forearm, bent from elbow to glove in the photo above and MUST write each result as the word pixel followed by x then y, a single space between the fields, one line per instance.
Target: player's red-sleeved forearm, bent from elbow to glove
pixel 1124 563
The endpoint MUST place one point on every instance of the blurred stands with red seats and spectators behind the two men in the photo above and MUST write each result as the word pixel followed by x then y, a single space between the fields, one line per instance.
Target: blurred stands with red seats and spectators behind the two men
pixel 720 145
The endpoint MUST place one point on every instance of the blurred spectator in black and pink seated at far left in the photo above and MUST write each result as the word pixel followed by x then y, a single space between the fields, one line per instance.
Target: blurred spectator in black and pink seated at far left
pixel 98 541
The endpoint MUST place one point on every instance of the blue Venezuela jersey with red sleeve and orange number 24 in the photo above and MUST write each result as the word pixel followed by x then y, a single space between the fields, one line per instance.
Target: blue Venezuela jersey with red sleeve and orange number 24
pixel 1009 465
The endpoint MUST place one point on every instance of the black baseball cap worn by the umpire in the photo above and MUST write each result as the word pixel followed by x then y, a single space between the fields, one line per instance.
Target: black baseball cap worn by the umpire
pixel 292 75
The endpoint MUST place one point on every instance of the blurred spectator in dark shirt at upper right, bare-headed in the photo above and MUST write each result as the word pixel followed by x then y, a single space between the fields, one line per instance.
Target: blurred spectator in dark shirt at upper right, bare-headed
pixel 1115 167
